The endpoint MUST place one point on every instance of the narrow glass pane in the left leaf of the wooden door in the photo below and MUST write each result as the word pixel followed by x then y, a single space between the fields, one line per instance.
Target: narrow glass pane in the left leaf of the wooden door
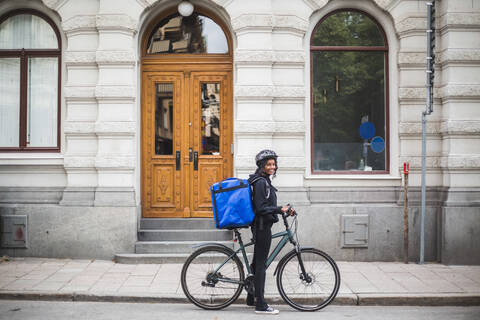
pixel 164 119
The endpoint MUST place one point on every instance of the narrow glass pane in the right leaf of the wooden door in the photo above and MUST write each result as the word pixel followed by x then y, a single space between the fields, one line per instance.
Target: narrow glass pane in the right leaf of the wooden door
pixel 211 118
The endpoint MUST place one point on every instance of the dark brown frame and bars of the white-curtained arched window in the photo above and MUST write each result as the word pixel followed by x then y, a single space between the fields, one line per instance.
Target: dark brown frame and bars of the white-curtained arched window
pixel 24 55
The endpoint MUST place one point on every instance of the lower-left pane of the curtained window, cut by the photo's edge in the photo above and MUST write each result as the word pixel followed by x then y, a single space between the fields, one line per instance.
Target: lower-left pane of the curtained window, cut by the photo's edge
pixel 9 102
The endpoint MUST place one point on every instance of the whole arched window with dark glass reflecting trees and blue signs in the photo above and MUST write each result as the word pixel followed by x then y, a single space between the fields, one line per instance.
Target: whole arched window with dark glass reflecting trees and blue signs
pixel 349 94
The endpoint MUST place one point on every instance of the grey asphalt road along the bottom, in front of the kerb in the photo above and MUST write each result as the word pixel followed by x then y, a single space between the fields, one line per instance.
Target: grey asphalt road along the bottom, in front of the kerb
pixel 23 310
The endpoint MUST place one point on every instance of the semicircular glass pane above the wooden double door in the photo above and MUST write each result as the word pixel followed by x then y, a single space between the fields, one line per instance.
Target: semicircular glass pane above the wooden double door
pixel 193 34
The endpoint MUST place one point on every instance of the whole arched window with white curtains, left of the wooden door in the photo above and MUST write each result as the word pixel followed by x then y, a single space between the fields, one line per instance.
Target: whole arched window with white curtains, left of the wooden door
pixel 30 52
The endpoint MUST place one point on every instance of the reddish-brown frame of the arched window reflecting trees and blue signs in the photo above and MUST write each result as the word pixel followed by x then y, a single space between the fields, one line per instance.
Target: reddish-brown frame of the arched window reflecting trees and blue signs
pixel 384 49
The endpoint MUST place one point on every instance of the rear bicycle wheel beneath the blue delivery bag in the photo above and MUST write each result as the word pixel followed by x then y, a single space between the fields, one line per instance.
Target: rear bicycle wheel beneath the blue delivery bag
pixel 212 280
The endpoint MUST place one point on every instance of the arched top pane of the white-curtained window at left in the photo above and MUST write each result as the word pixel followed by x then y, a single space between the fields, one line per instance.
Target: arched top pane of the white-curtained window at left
pixel 27 31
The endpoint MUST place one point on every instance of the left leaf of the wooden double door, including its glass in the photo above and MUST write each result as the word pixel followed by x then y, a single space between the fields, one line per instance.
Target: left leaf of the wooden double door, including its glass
pixel 161 142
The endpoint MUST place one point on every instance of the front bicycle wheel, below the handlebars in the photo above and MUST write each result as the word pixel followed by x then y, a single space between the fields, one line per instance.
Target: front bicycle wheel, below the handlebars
pixel 317 289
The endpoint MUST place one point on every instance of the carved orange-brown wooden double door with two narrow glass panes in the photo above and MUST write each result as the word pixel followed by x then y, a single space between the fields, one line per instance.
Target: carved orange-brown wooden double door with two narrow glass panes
pixel 186 138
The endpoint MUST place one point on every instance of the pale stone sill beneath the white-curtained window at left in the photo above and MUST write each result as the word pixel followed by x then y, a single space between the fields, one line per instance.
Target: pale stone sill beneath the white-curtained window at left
pixel 22 158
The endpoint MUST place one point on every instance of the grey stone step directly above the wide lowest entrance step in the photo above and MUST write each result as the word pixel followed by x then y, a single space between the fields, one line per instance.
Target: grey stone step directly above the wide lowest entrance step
pixel 151 247
